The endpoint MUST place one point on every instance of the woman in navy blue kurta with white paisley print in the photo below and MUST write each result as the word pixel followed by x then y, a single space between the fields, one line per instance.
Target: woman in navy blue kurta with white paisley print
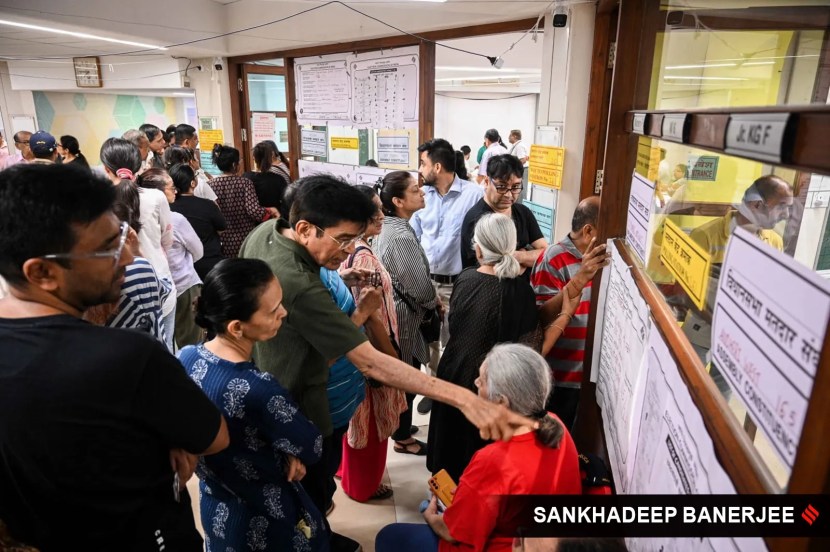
pixel 251 497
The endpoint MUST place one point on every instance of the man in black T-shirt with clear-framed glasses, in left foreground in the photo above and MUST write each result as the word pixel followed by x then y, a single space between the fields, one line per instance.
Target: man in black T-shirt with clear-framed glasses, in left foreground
pixel 99 428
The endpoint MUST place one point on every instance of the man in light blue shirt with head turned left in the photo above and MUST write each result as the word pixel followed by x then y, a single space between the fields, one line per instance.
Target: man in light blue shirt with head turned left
pixel 438 226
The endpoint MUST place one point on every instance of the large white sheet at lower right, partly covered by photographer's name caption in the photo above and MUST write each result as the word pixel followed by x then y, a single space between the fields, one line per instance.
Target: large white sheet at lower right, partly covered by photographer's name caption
pixel 675 454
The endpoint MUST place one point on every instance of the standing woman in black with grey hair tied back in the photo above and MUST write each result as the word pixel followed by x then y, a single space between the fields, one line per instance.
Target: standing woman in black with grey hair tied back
pixel 490 304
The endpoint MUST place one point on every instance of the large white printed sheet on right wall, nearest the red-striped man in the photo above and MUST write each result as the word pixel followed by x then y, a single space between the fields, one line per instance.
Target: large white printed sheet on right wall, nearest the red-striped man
pixel 620 382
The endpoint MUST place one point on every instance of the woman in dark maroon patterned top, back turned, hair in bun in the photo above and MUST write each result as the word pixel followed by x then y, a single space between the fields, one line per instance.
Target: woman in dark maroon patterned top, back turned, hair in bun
pixel 237 199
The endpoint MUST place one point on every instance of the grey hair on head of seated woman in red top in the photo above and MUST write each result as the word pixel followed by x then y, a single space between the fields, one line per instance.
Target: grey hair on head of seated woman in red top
pixel 520 375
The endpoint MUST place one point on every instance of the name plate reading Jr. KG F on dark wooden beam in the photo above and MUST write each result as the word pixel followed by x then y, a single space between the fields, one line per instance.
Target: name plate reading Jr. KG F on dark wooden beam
pixel 759 136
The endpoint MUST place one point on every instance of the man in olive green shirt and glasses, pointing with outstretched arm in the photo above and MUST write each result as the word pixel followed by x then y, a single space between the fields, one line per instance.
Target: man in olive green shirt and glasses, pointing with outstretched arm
pixel 327 217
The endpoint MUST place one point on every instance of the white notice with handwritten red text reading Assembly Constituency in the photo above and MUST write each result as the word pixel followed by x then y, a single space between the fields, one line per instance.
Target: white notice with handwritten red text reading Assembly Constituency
pixel 769 323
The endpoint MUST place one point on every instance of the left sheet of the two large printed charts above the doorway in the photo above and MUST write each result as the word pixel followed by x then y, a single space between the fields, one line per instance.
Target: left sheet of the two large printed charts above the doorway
pixel 323 90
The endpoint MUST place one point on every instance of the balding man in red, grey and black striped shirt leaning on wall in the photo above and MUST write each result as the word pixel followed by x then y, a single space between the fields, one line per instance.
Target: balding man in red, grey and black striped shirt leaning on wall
pixel 570 260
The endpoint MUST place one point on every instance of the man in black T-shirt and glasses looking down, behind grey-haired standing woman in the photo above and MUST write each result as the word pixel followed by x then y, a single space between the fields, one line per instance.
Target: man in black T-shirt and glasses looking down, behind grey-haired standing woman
pixel 502 187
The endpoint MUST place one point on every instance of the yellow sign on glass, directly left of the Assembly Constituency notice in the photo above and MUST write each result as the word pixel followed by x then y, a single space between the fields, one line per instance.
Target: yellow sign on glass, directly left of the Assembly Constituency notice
pixel 687 261
